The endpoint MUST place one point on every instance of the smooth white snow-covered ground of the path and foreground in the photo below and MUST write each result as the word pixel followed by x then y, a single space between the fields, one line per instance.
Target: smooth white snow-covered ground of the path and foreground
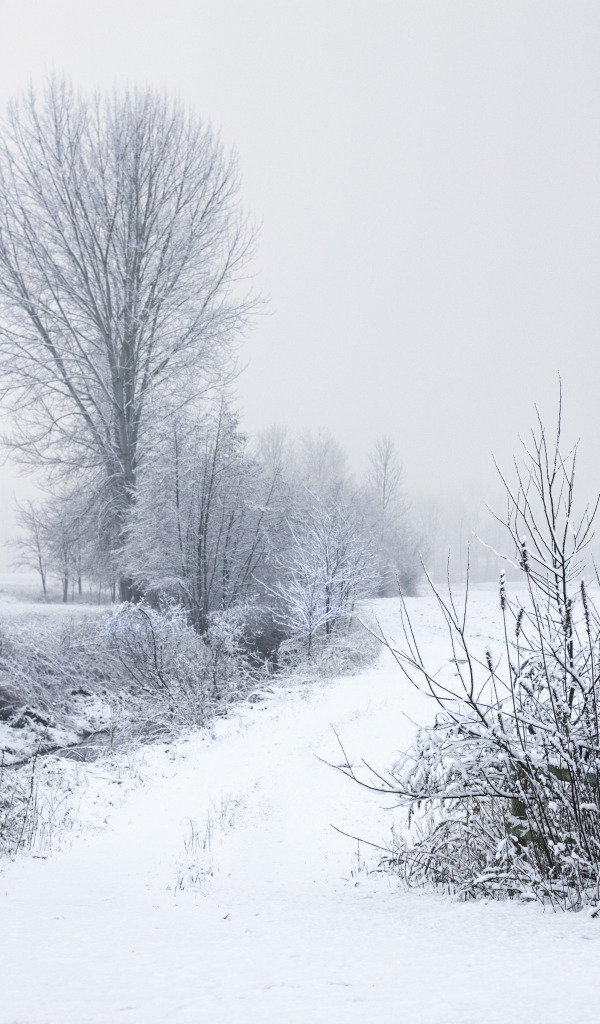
pixel 218 891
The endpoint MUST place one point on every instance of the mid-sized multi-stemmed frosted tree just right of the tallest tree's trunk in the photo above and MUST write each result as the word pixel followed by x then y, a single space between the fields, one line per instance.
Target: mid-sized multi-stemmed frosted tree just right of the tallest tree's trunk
pixel 199 529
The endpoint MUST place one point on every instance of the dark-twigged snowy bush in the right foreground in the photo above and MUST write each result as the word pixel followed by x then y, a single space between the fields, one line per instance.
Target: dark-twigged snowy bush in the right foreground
pixel 503 788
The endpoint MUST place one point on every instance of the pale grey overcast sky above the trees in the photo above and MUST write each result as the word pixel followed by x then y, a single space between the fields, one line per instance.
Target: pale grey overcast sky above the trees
pixel 427 180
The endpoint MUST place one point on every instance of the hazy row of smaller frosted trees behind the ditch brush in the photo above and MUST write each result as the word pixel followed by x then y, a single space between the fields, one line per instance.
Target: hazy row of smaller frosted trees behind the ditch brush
pixel 277 530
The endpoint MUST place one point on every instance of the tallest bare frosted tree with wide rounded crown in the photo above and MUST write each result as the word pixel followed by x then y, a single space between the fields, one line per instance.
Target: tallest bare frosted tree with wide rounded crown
pixel 121 247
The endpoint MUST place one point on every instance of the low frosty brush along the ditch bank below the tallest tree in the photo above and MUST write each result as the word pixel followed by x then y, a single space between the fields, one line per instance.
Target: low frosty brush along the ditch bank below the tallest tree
pixel 139 672
